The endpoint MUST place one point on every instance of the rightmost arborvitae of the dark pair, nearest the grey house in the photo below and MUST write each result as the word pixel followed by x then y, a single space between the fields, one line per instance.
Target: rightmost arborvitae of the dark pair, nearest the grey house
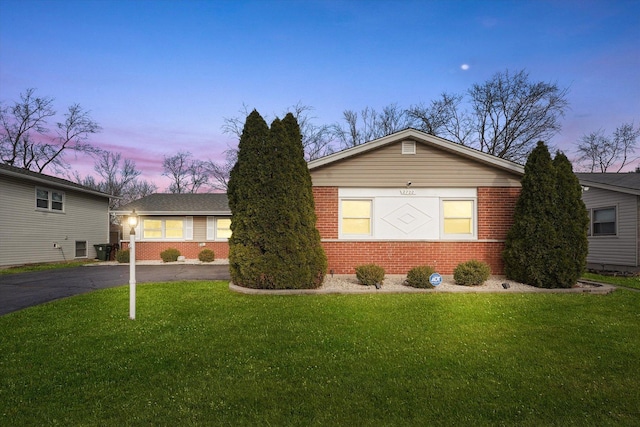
pixel 572 221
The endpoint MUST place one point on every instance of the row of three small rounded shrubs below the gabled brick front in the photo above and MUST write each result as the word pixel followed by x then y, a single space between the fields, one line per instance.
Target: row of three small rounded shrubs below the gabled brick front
pixel 469 273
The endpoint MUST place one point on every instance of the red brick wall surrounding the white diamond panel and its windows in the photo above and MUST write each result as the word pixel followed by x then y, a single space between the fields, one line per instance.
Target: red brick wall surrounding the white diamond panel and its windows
pixel 495 213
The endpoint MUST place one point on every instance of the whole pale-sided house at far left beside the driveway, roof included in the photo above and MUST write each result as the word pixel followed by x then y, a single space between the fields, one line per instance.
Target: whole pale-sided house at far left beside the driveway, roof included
pixel 45 219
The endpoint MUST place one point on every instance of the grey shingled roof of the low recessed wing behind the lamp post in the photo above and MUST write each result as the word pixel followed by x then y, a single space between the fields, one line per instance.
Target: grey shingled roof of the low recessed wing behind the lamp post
pixel 178 204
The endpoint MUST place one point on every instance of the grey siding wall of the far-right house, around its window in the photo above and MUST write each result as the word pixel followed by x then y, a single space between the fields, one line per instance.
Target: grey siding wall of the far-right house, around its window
pixel 621 249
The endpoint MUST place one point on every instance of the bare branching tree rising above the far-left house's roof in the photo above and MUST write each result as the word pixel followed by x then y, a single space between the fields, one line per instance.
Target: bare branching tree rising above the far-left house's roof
pixel 25 139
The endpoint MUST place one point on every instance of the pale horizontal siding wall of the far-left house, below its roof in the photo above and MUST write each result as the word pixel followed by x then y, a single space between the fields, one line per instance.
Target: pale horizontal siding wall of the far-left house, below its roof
pixel 28 235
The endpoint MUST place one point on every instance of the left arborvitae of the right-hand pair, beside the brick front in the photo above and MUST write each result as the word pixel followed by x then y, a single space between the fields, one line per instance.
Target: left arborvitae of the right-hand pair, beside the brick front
pixel 531 241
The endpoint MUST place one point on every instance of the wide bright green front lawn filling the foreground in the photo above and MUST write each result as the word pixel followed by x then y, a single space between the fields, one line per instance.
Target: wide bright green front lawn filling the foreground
pixel 201 355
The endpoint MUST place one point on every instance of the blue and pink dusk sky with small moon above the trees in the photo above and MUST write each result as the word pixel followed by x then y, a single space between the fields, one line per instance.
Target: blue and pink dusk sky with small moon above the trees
pixel 160 76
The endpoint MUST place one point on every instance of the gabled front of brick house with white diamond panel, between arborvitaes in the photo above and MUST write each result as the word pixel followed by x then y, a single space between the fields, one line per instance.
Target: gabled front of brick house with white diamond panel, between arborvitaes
pixel 412 199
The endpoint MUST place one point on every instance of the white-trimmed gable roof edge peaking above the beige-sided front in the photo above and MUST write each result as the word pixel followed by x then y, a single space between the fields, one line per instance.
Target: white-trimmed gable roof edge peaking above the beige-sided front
pixel 425 138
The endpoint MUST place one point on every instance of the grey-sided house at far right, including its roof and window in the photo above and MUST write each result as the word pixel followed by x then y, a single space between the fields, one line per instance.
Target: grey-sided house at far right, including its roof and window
pixel 613 202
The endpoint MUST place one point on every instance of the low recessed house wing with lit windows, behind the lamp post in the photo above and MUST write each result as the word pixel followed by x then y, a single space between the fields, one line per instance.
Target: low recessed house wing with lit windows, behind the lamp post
pixel 187 222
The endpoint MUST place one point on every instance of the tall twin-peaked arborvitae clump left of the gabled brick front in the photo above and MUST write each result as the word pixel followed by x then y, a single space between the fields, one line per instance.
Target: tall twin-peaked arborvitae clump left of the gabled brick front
pixel 274 244
